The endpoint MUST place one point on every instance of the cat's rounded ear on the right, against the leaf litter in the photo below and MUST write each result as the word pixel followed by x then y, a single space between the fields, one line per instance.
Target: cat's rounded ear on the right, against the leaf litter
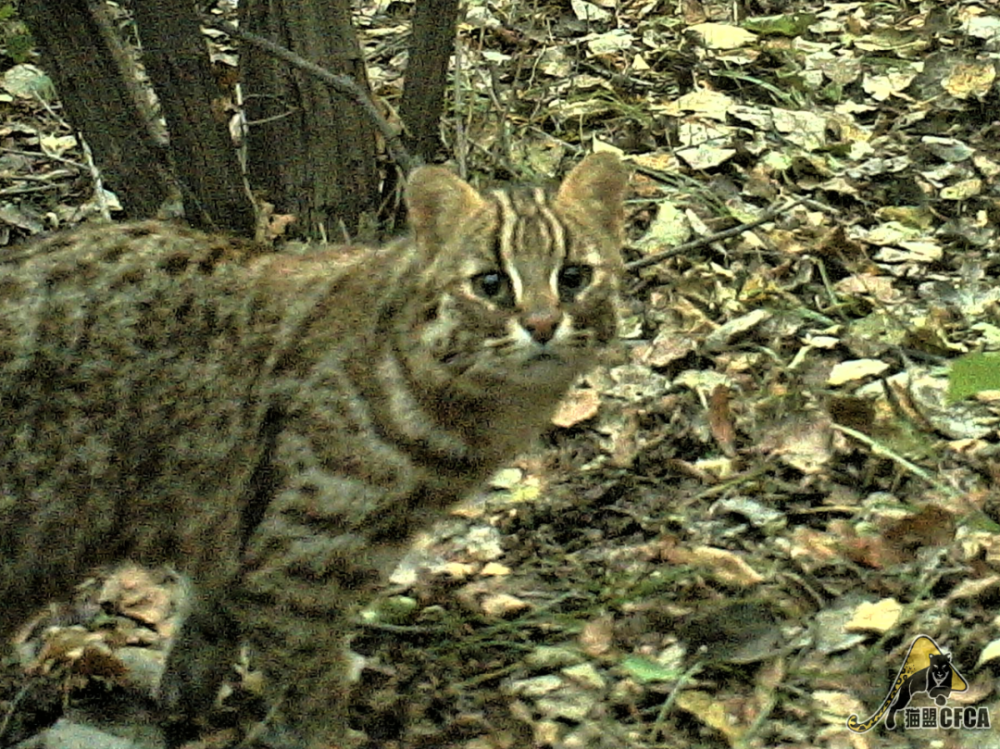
pixel 596 188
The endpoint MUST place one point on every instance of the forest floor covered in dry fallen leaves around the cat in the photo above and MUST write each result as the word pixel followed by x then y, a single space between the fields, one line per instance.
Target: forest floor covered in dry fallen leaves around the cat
pixel 780 494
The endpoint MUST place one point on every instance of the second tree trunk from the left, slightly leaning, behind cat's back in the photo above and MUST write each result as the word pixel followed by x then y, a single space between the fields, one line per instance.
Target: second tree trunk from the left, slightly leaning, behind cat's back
pixel 176 59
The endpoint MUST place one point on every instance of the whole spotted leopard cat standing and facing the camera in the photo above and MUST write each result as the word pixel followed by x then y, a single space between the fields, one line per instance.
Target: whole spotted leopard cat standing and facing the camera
pixel 276 426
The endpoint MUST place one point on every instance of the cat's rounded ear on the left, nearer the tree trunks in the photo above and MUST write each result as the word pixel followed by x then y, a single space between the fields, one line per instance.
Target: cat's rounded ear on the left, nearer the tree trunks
pixel 437 200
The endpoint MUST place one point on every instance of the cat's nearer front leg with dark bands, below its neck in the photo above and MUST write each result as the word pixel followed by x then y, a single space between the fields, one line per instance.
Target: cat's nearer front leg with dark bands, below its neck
pixel 337 521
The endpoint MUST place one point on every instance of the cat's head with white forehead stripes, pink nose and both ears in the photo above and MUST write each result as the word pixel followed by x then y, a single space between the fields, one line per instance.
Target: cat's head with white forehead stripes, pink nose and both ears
pixel 519 284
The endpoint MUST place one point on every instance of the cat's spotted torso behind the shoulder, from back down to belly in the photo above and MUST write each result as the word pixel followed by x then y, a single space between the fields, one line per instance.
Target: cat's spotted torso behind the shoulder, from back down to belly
pixel 128 357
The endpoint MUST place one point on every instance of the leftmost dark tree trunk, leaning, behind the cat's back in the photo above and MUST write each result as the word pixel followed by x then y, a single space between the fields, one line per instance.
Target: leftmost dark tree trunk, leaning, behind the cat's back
pixel 95 81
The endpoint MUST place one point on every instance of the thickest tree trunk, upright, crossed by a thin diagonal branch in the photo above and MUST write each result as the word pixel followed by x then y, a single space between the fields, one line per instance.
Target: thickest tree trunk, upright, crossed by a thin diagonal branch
pixel 311 151
